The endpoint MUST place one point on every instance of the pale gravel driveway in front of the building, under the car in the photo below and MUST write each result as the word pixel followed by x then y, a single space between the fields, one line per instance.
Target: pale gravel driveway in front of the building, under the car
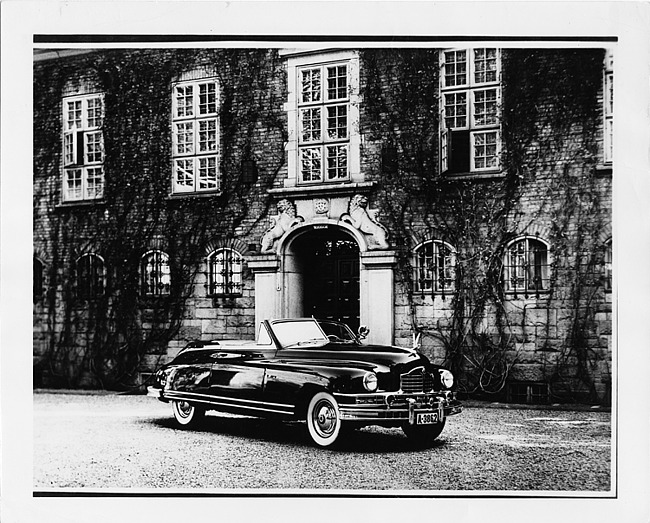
pixel 112 441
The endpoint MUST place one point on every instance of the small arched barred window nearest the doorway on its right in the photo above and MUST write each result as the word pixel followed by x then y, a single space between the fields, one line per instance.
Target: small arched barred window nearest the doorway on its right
pixel 434 288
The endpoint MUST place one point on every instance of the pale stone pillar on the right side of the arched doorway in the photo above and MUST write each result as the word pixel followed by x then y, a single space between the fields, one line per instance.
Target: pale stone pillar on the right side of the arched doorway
pixel 377 295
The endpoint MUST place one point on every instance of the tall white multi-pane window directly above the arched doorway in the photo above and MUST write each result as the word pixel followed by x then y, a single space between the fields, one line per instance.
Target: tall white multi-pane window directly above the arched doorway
pixel 323 123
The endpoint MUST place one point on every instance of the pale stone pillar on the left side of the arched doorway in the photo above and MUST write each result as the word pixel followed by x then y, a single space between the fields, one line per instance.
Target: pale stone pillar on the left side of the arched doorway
pixel 267 303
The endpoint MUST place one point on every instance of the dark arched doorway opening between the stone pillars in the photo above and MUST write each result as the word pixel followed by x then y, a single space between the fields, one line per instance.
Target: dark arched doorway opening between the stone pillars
pixel 328 262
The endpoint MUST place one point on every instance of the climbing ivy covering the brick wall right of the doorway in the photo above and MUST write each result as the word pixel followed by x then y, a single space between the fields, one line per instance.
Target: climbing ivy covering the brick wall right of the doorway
pixel 550 123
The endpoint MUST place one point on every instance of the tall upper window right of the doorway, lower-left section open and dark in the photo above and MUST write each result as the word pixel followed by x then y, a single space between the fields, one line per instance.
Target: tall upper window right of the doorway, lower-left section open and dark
pixel 462 140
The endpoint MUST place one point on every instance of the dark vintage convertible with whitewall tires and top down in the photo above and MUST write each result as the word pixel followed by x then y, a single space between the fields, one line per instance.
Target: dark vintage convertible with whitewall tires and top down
pixel 312 370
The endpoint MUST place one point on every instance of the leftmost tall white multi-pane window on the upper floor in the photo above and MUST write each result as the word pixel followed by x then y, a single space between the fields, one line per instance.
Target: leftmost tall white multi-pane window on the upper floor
pixel 83 147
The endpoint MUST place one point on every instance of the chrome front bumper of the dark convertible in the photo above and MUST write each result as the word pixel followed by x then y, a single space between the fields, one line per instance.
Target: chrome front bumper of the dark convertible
pixel 396 407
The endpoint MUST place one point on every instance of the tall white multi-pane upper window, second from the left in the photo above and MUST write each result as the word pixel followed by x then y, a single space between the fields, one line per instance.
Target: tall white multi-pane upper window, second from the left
pixel 195 125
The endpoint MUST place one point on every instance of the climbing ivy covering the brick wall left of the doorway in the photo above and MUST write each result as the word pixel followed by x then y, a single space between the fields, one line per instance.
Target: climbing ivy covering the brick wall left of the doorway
pixel 103 340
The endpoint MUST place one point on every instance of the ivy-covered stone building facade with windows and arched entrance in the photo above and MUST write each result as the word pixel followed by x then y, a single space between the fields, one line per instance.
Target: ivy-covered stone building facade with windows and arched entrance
pixel 457 198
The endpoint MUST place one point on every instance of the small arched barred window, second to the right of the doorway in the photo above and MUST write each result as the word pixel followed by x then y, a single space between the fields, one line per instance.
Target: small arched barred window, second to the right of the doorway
pixel 526 266
